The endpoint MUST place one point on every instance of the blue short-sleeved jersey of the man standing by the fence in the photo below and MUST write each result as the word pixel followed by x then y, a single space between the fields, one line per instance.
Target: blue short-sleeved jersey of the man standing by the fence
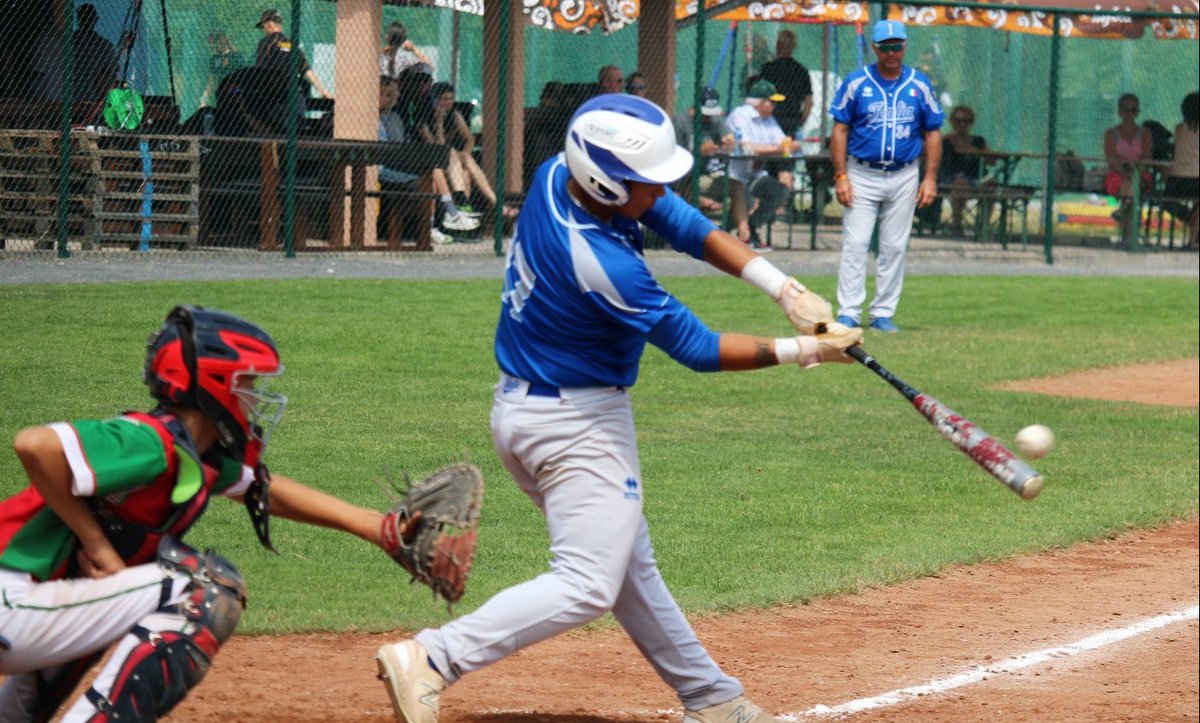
pixel 886 118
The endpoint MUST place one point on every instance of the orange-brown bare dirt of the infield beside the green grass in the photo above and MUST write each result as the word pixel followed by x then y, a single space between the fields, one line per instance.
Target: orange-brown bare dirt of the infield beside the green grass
pixel 835 652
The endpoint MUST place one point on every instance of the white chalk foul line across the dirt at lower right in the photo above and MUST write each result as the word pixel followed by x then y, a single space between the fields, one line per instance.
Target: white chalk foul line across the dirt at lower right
pixel 983 672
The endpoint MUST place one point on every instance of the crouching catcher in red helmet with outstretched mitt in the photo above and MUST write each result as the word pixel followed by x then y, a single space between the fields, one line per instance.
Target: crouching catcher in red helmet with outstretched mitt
pixel 91 554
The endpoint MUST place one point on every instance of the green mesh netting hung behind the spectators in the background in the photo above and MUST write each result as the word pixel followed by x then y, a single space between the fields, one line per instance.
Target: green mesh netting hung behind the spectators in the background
pixel 1004 76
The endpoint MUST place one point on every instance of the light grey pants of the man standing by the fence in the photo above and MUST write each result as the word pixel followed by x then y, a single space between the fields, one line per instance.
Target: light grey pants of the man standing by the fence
pixel 891 198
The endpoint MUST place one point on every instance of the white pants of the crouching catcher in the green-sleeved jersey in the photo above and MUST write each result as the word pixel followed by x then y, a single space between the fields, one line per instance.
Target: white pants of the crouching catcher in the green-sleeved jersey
pixel 49 625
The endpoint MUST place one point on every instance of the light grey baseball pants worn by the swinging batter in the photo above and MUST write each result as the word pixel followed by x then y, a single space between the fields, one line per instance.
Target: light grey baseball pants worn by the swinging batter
pixel 577 458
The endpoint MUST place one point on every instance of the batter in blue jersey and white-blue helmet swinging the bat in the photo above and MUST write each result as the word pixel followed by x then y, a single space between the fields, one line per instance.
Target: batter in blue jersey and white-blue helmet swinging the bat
pixel 578 309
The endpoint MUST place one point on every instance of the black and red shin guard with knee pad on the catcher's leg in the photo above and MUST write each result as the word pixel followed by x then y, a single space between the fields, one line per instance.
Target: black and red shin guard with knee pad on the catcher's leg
pixel 164 665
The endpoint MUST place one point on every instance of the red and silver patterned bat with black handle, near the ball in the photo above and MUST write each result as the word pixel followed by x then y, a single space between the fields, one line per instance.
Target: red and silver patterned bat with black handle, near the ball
pixel 974 441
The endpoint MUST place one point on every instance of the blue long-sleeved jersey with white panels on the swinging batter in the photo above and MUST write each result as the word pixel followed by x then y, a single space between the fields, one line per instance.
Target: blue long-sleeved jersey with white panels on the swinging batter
pixel 580 303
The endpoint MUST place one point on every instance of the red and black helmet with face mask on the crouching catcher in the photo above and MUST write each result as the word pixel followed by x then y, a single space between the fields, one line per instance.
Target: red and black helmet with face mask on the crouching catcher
pixel 218 363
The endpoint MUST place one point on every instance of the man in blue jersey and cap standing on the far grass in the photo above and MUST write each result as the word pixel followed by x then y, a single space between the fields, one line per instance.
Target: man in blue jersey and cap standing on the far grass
pixel 881 115
